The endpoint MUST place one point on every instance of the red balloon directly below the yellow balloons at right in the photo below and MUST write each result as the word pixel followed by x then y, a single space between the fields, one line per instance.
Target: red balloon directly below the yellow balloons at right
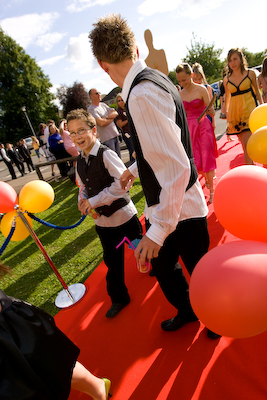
pixel 240 200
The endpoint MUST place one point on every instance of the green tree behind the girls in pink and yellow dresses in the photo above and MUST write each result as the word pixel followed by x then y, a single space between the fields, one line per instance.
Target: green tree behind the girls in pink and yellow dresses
pixel 206 55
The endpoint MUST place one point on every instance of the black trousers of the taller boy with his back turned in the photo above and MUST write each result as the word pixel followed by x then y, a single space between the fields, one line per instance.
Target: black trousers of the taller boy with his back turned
pixel 190 240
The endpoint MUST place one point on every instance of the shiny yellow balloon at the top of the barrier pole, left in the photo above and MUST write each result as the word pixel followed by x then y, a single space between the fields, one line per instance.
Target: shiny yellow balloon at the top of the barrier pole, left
pixel 36 196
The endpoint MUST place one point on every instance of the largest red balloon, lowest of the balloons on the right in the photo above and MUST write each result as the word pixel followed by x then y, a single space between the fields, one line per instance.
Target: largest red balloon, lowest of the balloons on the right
pixel 228 289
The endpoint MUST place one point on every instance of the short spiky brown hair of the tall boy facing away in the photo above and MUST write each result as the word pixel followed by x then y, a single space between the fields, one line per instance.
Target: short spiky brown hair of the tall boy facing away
pixel 112 40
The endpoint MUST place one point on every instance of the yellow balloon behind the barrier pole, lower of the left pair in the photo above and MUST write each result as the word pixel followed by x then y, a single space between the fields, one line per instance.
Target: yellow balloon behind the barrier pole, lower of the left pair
pixel 21 232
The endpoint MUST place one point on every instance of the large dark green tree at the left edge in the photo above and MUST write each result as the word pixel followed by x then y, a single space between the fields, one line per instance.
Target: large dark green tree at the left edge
pixel 22 83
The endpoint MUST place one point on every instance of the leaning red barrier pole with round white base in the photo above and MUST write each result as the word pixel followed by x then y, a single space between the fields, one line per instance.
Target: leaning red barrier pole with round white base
pixel 70 295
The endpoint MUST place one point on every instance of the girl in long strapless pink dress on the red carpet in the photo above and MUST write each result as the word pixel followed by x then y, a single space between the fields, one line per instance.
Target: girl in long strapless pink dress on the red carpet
pixel 195 99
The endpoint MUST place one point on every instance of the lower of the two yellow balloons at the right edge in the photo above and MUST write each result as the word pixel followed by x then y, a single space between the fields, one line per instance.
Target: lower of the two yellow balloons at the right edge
pixel 257 146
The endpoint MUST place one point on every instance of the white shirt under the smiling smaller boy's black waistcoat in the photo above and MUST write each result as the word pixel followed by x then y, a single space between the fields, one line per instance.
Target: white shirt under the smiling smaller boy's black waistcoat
pixel 115 167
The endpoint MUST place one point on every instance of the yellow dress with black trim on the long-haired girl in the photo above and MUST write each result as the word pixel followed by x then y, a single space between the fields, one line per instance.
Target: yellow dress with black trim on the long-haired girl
pixel 242 103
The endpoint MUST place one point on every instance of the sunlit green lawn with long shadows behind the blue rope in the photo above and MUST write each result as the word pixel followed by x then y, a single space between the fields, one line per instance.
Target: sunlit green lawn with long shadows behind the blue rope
pixel 75 252
